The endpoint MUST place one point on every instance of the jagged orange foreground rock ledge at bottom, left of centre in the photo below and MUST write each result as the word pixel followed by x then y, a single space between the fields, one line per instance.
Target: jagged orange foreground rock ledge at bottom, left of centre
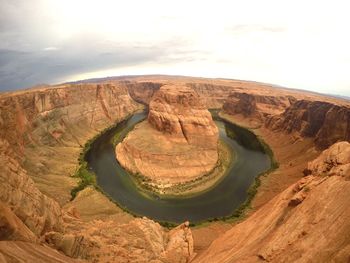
pixel 141 240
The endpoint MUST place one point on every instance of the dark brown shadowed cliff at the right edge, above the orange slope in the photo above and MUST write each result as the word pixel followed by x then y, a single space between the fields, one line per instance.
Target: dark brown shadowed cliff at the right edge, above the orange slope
pixel 326 122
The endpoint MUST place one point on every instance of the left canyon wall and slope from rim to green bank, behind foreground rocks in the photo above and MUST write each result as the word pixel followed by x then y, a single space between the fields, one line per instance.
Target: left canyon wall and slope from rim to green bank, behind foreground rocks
pixel 46 128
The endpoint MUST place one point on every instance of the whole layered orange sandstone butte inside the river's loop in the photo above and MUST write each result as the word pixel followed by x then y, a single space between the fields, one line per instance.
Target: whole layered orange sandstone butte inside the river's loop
pixel 178 142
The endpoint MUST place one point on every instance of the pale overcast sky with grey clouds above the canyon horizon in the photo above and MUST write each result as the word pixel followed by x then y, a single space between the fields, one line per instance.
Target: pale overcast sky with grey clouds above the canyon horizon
pixel 297 44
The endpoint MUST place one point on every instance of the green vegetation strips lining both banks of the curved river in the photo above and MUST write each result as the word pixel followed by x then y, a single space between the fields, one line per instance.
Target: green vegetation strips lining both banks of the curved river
pixel 88 178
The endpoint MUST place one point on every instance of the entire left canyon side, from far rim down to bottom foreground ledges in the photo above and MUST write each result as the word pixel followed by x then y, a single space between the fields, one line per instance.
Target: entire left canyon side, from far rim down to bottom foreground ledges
pixel 41 136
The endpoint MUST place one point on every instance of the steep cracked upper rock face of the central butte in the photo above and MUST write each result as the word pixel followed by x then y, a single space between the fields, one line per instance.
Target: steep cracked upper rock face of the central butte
pixel 179 111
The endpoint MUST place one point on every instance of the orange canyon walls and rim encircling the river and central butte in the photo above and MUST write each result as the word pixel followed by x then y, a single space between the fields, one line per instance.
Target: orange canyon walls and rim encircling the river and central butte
pixel 299 214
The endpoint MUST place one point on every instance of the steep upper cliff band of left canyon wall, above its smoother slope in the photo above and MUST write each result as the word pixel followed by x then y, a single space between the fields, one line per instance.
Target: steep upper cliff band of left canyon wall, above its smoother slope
pixel 51 116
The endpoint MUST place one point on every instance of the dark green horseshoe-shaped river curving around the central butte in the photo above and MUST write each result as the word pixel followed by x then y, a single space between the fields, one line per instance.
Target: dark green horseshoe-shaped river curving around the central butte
pixel 220 201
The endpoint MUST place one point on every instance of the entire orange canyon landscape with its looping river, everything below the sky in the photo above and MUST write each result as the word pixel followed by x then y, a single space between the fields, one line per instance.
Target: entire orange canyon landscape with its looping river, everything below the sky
pixel 265 169
